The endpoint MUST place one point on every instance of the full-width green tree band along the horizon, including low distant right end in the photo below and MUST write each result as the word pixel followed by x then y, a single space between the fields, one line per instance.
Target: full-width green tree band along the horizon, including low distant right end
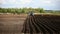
pixel 26 10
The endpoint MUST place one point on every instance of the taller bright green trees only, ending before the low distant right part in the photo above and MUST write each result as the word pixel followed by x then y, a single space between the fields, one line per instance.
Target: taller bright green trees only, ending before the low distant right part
pixel 21 10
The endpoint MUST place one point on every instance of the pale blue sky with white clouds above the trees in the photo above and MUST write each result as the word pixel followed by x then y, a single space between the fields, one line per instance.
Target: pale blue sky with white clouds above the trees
pixel 46 4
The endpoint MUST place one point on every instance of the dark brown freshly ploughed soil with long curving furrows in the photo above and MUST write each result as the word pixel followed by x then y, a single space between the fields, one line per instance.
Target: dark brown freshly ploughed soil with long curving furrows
pixel 39 24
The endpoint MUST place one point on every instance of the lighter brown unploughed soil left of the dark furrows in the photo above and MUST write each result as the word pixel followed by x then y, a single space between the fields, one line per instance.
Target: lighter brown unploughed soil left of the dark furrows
pixel 11 24
